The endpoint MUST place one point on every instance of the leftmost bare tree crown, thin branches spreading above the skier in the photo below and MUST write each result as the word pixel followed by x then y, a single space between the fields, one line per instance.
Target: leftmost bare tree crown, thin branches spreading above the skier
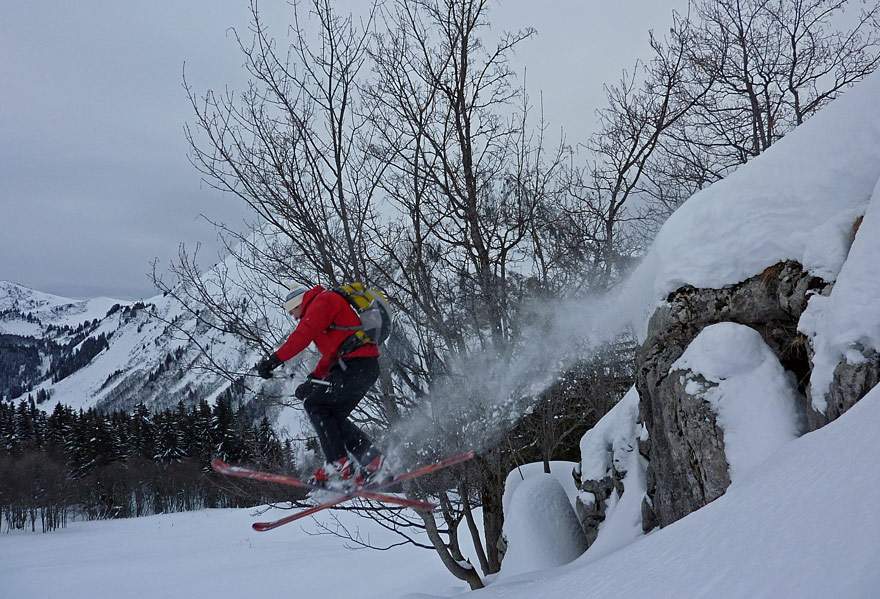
pixel 294 147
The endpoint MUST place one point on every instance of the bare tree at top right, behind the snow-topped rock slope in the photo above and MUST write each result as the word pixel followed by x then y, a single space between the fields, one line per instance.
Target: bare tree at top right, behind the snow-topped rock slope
pixel 774 63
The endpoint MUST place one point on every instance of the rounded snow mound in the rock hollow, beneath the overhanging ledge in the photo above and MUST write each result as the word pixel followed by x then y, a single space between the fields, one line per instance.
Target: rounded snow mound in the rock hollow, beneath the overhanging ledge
pixel 754 399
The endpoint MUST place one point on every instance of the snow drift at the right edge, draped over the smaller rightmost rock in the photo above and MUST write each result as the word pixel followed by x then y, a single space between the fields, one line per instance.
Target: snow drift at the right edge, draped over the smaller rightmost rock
pixel 847 321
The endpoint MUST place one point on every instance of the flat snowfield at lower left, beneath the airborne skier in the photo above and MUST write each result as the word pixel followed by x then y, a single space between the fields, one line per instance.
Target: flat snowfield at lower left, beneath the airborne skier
pixel 211 553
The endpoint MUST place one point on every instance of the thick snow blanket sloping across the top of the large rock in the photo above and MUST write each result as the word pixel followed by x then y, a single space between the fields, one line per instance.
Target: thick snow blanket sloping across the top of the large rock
pixel 797 201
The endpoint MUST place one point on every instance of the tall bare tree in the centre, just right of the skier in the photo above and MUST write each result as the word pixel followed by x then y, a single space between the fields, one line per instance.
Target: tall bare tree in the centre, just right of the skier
pixel 470 184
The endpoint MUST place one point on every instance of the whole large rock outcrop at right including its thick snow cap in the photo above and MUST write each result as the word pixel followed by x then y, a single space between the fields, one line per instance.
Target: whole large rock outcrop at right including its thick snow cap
pixel 797 224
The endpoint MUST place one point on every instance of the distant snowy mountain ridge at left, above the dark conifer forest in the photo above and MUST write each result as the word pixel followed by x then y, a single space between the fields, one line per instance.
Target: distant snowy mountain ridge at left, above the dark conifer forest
pixel 107 353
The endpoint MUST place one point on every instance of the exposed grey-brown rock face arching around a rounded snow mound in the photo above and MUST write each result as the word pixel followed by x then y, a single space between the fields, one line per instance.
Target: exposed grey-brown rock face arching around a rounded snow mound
pixel 687 465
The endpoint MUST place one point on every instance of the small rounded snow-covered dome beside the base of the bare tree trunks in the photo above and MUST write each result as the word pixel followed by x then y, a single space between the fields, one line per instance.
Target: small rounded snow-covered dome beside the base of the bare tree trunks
pixel 541 527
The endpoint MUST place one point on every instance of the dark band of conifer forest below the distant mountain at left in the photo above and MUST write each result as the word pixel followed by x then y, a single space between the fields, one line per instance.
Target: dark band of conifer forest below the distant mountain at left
pixel 93 465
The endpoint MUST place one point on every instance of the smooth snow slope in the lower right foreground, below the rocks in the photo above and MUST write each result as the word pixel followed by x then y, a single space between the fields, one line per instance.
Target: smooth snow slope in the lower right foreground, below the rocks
pixel 804 526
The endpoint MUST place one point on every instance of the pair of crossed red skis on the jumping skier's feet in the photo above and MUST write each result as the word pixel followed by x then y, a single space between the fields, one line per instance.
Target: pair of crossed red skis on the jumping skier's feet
pixel 369 492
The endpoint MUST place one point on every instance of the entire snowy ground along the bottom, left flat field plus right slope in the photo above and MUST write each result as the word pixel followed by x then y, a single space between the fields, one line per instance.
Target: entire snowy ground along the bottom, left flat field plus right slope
pixel 803 525
